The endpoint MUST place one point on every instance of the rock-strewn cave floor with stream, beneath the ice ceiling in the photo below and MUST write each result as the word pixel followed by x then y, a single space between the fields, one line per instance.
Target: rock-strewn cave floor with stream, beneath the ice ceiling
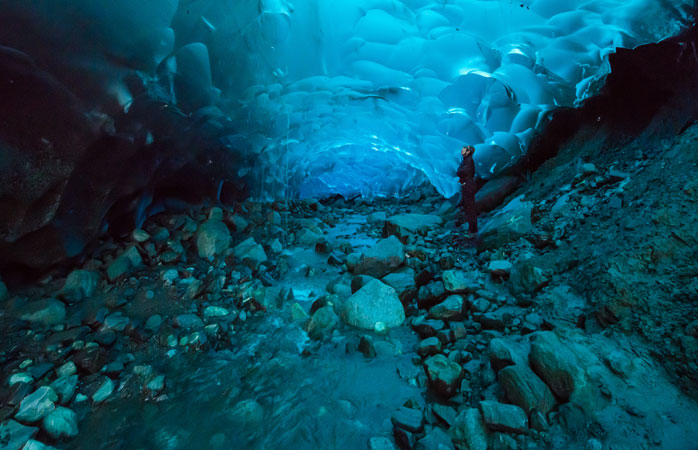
pixel 569 322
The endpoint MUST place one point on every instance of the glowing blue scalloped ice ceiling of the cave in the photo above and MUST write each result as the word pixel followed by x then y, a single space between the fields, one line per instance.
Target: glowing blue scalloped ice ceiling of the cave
pixel 345 96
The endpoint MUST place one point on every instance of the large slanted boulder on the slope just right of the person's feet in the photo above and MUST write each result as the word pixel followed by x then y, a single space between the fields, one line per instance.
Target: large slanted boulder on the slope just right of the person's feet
pixel 512 222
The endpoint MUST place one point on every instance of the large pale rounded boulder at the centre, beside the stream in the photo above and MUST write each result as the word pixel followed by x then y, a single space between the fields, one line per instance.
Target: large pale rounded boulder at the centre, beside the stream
pixel 373 303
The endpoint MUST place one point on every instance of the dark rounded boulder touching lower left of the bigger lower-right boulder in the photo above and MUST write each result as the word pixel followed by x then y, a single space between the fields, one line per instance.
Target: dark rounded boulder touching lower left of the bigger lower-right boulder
pixel 523 388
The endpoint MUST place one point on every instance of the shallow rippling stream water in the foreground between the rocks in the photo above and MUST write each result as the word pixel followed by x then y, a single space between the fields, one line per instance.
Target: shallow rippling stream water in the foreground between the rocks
pixel 329 399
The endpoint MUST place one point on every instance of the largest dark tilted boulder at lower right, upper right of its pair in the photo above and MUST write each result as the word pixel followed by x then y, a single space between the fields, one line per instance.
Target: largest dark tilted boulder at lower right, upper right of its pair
pixel 557 365
